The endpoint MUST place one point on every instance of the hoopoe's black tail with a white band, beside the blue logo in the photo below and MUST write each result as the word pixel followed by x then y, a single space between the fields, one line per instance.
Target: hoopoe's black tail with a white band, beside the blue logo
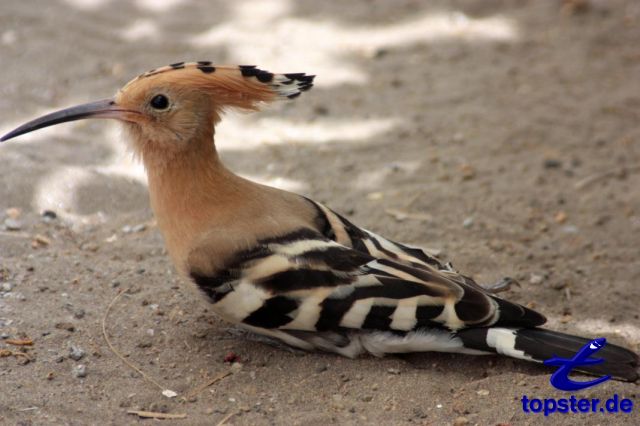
pixel 537 344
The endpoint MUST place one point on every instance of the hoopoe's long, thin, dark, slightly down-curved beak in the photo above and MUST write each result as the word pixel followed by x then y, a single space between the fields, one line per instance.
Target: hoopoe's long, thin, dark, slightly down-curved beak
pixel 104 108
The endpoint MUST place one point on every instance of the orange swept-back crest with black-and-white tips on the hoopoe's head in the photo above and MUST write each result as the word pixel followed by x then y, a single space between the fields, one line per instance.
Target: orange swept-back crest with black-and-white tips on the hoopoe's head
pixel 243 86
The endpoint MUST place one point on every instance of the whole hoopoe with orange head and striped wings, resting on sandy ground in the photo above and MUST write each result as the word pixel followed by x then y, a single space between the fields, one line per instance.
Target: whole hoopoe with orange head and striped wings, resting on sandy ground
pixel 287 267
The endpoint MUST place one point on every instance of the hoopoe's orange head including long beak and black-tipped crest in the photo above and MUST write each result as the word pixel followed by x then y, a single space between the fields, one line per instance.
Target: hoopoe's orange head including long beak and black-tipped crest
pixel 168 108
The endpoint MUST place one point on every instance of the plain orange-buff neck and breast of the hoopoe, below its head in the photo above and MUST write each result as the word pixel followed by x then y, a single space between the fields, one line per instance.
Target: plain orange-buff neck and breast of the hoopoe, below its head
pixel 206 213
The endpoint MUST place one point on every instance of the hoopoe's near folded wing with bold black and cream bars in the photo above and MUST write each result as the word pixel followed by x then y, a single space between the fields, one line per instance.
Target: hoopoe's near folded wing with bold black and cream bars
pixel 304 281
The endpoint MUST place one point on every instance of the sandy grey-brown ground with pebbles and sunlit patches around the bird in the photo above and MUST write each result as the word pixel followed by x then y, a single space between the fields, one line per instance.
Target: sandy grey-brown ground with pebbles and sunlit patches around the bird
pixel 502 133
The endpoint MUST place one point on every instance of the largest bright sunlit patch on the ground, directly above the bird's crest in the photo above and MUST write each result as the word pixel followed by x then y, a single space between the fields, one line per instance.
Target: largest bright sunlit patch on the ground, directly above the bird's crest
pixel 264 33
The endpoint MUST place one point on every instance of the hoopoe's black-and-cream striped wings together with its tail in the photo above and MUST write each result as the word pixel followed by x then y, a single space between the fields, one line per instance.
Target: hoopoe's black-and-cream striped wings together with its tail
pixel 339 288
